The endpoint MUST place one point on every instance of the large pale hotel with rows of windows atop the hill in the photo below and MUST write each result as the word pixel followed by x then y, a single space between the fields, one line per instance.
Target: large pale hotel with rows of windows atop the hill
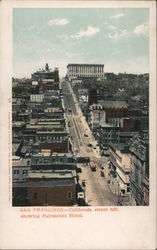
pixel 85 70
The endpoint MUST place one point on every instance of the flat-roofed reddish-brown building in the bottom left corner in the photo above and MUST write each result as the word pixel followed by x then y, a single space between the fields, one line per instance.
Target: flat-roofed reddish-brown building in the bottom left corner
pixel 43 188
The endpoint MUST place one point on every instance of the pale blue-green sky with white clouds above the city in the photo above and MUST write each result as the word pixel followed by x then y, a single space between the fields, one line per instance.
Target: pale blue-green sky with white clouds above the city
pixel 118 38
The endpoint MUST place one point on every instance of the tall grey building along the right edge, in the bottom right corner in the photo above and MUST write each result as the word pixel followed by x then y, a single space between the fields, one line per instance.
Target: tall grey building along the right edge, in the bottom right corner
pixel 139 175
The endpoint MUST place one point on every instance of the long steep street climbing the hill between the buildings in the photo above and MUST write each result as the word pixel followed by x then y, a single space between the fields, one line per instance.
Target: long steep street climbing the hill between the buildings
pixel 97 191
